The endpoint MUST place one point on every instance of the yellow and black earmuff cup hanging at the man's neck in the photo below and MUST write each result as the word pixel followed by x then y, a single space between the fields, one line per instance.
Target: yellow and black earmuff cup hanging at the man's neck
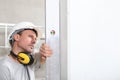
pixel 25 58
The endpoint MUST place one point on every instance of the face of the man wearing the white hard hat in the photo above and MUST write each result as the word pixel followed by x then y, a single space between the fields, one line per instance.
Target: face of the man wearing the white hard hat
pixel 27 41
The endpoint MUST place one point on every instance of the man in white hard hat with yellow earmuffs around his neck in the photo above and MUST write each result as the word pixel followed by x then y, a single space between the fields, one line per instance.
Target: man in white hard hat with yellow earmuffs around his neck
pixel 21 61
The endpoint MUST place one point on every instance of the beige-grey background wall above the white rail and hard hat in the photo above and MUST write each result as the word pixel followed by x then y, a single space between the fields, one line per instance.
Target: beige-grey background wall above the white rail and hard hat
pixel 14 11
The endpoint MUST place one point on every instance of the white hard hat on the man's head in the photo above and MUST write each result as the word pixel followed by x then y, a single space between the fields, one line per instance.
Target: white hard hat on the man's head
pixel 21 27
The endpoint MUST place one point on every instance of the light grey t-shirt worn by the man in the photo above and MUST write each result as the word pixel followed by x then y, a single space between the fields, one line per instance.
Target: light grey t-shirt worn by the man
pixel 11 70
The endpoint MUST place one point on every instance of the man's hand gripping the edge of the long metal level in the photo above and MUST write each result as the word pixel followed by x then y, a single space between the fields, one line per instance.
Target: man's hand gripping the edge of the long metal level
pixel 45 52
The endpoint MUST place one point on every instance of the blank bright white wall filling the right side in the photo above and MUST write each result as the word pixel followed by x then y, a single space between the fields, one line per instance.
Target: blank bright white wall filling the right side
pixel 94 40
